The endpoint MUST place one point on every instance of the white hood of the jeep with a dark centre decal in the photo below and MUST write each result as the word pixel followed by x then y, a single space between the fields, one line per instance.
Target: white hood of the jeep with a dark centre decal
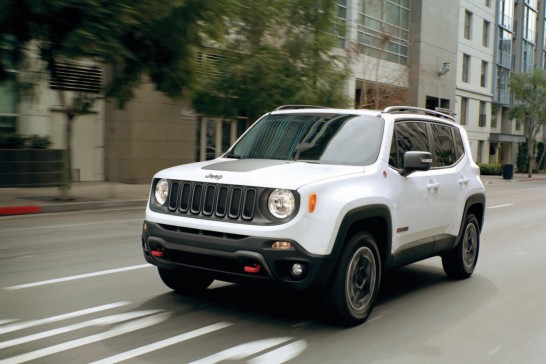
pixel 257 172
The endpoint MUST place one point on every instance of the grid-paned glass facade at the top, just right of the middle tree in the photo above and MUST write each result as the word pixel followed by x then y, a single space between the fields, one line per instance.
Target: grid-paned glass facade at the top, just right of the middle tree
pixel 383 29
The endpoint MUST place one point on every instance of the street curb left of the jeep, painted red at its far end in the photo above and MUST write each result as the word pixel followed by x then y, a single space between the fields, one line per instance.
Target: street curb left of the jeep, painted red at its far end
pixel 71 206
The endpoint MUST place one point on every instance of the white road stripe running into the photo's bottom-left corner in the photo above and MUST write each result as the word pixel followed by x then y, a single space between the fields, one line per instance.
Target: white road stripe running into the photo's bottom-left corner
pixel 119 330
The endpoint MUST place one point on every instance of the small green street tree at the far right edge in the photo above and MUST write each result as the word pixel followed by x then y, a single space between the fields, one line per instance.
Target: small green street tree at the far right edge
pixel 529 91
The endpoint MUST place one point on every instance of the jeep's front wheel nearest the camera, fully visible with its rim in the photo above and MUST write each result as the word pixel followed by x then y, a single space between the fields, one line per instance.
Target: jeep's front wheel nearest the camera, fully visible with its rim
pixel 354 289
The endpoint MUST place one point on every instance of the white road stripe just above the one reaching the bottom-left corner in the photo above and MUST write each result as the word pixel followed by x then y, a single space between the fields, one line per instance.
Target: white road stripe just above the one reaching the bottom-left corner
pixel 102 321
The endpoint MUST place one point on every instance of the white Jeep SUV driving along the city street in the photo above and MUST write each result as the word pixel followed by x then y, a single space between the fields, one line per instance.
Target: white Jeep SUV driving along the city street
pixel 323 199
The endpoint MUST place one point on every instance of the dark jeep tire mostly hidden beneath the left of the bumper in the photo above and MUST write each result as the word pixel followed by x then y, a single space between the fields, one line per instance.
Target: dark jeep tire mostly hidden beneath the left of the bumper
pixel 183 281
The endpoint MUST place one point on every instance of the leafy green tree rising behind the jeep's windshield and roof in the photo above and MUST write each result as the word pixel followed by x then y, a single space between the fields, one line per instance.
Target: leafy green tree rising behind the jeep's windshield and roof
pixel 278 52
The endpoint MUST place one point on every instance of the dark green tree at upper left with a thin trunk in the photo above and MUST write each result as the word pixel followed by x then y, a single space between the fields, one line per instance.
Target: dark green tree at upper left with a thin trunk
pixel 135 38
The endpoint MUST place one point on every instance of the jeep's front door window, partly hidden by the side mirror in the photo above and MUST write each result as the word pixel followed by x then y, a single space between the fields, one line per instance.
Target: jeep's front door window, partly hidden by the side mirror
pixel 408 136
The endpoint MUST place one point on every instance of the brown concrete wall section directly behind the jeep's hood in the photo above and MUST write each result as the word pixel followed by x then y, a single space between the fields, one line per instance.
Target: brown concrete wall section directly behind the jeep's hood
pixel 150 133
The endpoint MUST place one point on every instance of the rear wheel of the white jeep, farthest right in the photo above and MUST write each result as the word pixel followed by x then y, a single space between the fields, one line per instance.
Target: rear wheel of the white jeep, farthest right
pixel 461 261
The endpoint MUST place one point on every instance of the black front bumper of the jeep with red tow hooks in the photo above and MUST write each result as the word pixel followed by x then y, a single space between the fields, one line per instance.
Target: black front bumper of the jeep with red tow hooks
pixel 233 258
